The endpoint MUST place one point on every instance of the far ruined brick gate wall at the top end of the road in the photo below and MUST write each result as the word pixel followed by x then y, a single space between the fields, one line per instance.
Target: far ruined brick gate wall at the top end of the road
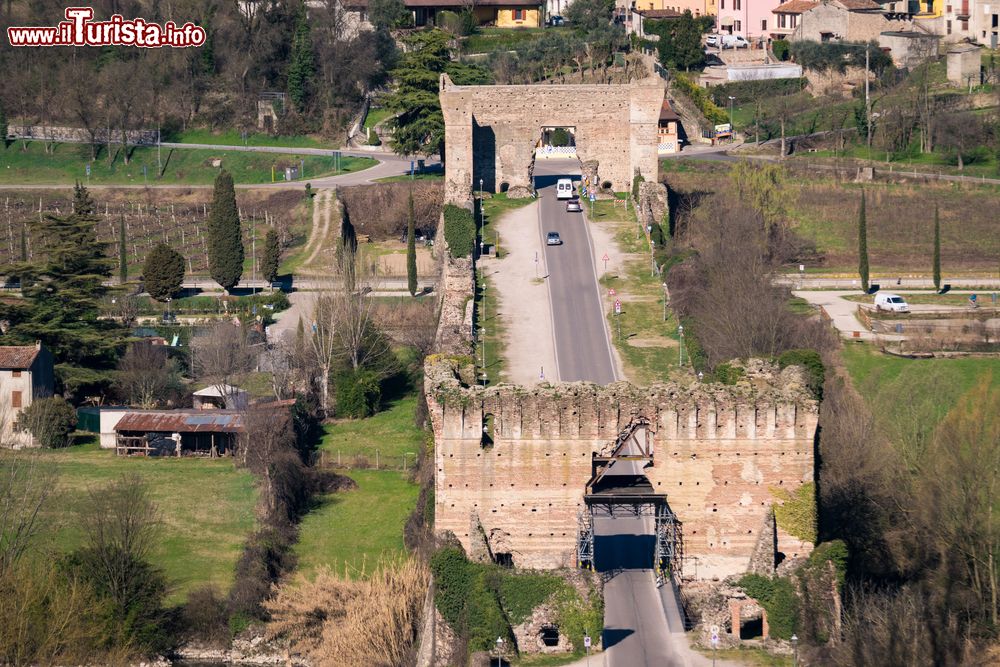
pixel 491 131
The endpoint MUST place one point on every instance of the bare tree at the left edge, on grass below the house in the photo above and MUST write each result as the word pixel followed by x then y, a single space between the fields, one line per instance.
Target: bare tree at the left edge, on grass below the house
pixel 25 488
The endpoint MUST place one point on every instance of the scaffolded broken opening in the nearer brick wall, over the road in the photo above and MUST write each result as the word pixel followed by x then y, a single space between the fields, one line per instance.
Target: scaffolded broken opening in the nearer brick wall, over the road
pixel 626 525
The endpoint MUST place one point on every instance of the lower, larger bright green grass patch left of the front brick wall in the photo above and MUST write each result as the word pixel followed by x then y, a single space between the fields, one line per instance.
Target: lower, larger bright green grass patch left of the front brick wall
pixel 353 529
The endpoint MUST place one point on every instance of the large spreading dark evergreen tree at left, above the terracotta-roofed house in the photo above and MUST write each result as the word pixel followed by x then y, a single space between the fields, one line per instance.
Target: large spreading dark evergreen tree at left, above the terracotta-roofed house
pixel 62 292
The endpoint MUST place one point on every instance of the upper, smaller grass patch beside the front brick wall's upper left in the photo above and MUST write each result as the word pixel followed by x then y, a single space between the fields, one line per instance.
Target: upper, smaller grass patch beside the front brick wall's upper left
pixel 391 432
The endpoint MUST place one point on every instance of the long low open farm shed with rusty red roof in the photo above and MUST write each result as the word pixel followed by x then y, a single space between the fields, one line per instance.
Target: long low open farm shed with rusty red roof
pixel 197 432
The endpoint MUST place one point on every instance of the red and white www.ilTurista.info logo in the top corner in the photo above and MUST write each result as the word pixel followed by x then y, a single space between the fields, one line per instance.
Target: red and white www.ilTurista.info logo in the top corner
pixel 79 30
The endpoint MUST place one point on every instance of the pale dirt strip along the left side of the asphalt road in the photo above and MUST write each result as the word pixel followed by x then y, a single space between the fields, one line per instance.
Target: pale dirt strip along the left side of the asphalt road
pixel 523 299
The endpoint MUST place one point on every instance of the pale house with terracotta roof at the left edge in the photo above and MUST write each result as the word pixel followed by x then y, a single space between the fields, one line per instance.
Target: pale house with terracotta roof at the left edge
pixel 26 373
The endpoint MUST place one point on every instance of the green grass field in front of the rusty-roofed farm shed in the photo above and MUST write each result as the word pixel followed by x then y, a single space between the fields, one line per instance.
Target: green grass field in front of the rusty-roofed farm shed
pixel 206 508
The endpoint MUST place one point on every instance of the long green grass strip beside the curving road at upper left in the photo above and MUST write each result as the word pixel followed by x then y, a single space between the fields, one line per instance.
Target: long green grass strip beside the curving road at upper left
pixel 67 164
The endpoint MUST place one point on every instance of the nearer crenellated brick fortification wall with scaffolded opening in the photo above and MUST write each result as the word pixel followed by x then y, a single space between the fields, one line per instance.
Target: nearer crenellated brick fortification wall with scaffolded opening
pixel 719 453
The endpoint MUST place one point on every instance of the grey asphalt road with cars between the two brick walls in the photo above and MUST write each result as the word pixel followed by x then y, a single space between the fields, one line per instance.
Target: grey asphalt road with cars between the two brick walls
pixel 583 351
